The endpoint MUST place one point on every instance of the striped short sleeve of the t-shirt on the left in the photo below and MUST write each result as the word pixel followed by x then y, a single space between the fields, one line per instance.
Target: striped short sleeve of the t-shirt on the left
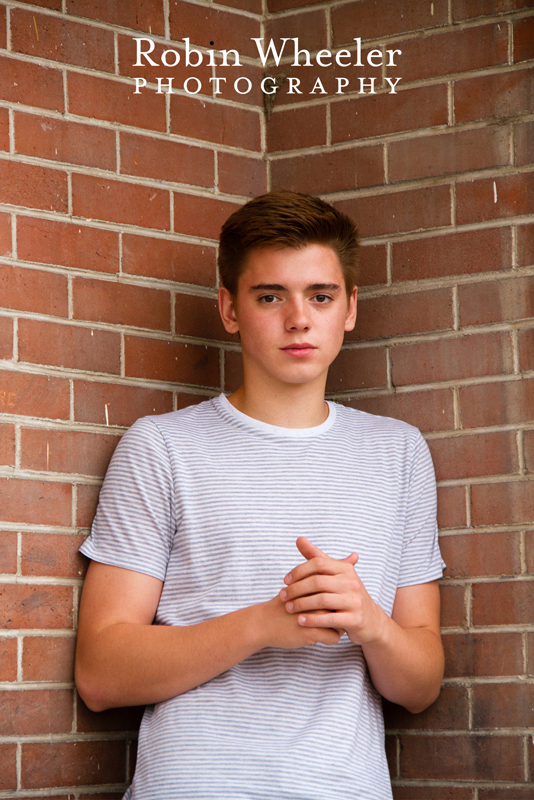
pixel 135 521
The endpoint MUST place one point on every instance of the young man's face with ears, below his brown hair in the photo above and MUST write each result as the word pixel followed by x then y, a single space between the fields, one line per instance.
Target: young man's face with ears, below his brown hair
pixel 291 312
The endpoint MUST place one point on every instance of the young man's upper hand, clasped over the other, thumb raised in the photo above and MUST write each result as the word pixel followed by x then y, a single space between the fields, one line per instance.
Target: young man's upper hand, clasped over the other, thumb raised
pixel 332 586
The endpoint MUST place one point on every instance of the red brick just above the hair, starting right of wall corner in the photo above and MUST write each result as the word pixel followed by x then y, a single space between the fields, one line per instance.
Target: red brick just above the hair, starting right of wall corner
pixel 330 171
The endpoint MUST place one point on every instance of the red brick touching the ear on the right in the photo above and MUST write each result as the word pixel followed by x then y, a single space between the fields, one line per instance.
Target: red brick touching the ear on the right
pixel 381 317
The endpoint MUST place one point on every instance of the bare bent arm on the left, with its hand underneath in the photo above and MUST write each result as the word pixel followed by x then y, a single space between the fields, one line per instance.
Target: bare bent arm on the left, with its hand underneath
pixel 123 659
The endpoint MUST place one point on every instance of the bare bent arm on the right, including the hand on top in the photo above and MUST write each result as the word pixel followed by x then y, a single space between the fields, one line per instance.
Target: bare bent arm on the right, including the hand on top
pixel 403 652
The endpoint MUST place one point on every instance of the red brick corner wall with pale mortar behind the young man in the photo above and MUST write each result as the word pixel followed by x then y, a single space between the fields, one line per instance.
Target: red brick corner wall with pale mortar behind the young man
pixel 110 205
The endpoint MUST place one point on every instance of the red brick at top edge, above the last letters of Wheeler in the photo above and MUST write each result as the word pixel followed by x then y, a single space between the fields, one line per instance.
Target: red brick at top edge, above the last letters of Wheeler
pixel 392 16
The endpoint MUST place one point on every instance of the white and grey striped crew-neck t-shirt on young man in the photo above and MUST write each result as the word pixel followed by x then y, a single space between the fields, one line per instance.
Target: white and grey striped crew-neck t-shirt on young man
pixel 211 502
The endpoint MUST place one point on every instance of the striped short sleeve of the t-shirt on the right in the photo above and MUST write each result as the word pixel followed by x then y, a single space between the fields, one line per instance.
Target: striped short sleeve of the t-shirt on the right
pixel 421 560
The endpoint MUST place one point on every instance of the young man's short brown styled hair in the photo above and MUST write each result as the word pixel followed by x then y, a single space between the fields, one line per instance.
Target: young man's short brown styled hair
pixel 286 219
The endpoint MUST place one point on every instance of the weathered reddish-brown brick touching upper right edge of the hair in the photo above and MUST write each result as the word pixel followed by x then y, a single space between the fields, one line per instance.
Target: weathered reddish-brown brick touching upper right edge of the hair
pixel 398 212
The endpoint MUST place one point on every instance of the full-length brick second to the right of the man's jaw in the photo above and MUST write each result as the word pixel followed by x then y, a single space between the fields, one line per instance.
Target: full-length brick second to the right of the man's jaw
pixel 452 359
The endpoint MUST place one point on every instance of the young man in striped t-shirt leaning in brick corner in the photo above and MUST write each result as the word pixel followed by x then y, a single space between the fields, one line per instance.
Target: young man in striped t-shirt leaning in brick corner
pixel 264 566
